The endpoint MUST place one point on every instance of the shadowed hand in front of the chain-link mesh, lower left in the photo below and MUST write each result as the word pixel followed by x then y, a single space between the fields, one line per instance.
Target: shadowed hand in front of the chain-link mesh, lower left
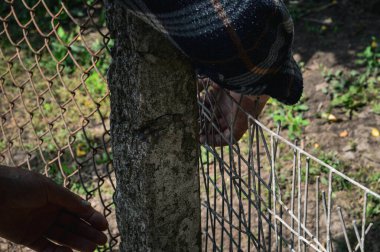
pixel 43 216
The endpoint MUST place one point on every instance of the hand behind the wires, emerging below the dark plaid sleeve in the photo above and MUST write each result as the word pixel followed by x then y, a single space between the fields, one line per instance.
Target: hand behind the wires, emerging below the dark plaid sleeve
pixel 229 115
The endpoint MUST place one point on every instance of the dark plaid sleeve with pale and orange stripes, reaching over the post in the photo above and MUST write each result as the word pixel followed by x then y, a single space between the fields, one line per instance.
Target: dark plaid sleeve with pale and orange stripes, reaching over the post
pixel 242 45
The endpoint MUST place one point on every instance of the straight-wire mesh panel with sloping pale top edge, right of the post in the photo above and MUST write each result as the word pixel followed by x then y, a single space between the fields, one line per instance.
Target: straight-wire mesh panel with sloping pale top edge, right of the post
pixel 268 194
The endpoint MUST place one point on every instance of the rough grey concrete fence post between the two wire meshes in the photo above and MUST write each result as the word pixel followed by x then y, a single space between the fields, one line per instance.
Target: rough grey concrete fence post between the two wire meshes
pixel 154 131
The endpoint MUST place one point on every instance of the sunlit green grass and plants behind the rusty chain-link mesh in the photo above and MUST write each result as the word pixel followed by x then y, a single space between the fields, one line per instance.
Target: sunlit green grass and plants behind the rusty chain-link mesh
pixel 51 112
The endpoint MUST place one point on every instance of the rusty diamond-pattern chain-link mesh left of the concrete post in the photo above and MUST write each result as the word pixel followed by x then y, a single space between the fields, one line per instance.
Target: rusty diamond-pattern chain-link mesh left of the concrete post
pixel 54 102
